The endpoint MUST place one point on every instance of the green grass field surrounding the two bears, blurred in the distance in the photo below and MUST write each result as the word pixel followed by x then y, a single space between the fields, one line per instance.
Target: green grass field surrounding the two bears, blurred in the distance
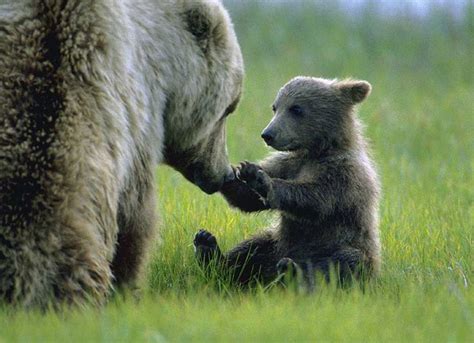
pixel 420 119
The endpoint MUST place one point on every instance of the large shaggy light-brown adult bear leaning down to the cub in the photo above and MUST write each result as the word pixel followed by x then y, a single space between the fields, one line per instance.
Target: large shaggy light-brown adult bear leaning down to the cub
pixel 93 94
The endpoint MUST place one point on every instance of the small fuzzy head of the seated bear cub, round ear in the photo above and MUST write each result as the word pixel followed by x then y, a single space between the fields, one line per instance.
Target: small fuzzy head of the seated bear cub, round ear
pixel 314 114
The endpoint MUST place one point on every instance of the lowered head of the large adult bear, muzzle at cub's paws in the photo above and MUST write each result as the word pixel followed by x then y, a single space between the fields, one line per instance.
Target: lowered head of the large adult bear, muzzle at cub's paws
pixel 203 76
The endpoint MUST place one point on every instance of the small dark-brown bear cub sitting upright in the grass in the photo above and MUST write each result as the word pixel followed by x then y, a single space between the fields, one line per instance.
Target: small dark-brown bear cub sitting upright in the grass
pixel 321 181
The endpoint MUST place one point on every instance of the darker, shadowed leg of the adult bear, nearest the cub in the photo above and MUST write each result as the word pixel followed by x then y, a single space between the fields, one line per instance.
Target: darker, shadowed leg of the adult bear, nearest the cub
pixel 136 232
